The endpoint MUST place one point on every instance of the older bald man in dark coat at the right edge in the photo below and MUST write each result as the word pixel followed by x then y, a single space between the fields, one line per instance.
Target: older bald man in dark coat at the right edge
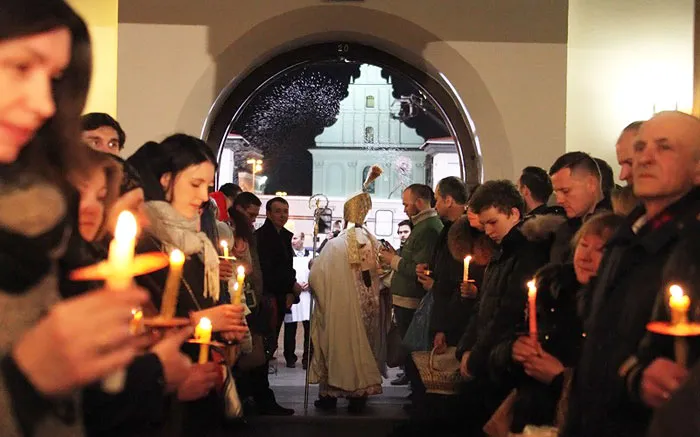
pixel 605 397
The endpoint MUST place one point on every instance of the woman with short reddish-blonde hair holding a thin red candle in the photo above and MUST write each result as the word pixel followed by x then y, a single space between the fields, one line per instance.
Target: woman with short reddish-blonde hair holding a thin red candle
pixel 540 363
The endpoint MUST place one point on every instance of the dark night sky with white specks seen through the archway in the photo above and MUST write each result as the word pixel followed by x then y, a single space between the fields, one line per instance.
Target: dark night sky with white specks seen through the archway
pixel 284 119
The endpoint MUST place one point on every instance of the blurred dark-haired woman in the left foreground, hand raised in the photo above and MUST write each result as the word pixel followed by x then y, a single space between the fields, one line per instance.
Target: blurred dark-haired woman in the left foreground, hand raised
pixel 48 349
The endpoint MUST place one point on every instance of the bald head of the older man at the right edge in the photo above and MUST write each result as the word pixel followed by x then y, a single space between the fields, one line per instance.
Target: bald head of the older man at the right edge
pixel 666 156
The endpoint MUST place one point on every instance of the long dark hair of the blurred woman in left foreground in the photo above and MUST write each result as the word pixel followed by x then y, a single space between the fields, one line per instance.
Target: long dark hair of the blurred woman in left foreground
pixel 56 148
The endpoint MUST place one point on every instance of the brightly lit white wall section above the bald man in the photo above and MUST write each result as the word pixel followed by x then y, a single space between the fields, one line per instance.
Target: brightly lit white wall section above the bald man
pixel 626 59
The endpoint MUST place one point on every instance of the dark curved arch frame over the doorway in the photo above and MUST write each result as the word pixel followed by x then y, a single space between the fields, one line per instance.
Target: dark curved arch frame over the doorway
pixel 233 100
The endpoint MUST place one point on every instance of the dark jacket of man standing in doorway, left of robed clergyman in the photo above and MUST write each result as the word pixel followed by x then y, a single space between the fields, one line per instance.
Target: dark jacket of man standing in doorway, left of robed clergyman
pixel 276 260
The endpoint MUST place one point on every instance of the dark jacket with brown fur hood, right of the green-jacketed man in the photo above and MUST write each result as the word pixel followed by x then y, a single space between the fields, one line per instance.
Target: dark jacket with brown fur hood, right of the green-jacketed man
pixel 451 313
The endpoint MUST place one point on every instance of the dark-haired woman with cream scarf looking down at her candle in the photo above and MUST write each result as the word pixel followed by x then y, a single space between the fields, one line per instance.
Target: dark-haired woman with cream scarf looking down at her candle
pixel 177 174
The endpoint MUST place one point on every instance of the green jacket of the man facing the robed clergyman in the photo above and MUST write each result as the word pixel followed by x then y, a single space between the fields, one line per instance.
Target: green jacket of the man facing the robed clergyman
pixel 418 249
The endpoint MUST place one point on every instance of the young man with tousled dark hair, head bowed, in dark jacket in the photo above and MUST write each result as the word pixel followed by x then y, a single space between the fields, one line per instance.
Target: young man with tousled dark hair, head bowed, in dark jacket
pixel 503 299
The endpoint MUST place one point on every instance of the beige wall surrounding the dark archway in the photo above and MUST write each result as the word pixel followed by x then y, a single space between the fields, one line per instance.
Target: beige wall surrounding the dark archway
pixel 506 60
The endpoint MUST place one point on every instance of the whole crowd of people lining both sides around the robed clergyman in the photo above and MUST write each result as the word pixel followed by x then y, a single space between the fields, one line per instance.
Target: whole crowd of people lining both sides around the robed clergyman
pixel 576 359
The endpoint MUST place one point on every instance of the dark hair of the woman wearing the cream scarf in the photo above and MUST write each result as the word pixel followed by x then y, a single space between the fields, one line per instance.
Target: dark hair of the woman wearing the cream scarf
pixel 173 155
